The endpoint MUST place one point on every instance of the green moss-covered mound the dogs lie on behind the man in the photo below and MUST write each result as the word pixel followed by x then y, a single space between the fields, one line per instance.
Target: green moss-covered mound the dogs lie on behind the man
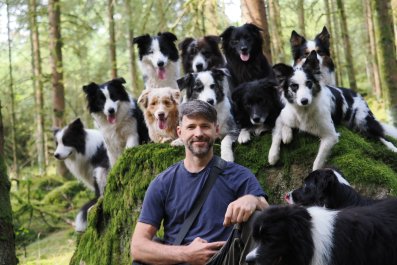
pixel 368 165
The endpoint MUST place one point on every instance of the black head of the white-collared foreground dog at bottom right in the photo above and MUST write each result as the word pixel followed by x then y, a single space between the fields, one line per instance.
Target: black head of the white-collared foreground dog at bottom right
pixel 283 237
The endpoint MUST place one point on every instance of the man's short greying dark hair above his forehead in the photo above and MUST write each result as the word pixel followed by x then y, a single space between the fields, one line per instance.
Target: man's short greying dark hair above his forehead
pixel 197 108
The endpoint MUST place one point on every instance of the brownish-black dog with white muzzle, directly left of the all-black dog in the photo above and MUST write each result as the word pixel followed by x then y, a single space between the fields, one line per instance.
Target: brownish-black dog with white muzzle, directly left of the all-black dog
pixel 201 54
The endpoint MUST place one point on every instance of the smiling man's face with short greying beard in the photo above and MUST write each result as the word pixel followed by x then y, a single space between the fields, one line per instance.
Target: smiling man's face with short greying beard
pixel 198 135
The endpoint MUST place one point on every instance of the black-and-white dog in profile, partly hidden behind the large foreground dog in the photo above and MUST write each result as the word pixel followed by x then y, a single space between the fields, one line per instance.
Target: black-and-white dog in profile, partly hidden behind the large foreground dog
pixel 327 188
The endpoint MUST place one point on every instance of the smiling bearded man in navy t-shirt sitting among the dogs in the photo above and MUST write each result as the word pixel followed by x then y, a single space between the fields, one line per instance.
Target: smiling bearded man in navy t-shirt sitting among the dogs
pixel 236 194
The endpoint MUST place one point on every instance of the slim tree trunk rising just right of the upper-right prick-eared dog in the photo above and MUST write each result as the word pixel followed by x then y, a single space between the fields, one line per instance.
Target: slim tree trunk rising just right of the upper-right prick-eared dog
pixel 346 45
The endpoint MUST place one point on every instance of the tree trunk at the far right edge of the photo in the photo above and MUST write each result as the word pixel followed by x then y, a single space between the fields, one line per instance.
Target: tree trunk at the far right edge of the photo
pixel 387 58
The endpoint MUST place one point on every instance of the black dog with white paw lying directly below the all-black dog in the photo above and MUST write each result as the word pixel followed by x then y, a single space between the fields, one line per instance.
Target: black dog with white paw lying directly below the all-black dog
pixel 257 105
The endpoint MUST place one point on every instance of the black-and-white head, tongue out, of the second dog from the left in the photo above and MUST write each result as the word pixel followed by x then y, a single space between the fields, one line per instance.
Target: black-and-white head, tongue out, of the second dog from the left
pixel 106 98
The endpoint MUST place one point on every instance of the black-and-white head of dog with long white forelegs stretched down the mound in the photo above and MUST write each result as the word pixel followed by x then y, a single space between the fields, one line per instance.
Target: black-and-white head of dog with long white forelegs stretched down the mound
pixel 300 85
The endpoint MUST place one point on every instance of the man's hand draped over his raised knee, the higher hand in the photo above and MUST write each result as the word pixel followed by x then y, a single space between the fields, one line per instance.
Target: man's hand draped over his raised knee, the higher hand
pixel 240 210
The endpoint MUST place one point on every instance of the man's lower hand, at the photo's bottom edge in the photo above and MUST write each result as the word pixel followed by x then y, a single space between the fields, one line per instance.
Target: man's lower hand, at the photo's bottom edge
pixel 199 251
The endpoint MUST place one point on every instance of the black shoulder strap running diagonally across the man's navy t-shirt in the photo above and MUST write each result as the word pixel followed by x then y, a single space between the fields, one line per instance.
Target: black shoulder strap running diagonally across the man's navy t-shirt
pixel 217 168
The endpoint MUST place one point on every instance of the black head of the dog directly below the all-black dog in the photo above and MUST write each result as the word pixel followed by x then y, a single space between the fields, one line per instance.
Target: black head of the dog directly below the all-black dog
pixel 258 100
